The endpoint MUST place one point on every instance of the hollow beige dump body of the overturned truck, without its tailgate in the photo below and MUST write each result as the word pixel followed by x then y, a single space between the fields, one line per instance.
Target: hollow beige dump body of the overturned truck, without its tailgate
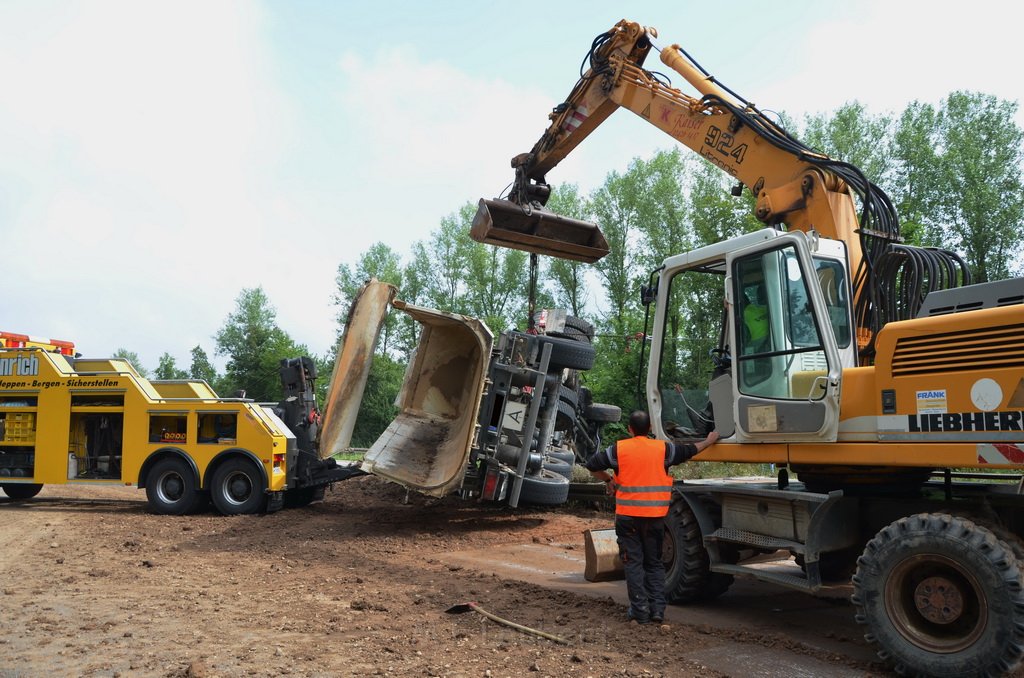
pixel 428 446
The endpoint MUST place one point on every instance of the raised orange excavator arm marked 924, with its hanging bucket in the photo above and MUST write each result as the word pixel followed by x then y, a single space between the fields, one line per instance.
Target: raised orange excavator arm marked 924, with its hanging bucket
pixel 795 187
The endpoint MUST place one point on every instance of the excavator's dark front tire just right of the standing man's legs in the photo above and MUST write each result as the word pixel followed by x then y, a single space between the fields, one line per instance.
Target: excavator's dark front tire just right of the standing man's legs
pixel 688 574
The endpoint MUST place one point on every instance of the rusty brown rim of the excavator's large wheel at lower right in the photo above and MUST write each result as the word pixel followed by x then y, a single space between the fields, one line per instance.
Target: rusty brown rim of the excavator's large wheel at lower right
pixel 936 604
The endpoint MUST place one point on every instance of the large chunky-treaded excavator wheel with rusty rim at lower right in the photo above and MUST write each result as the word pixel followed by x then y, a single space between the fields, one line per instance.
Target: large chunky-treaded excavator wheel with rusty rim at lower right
pixel 943 597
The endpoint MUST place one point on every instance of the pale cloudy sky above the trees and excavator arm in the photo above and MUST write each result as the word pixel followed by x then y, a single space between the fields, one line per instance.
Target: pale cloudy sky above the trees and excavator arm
pixel 158 158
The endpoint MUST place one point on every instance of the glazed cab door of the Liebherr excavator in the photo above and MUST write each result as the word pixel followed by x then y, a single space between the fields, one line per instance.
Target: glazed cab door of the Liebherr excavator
pixel 787 371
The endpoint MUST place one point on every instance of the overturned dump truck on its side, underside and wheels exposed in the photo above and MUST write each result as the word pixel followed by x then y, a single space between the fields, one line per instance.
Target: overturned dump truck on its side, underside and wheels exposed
pixel 498 419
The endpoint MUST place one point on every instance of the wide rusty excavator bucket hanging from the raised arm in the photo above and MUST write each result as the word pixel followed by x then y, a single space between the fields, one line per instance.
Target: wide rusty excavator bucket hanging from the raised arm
pixel 536 230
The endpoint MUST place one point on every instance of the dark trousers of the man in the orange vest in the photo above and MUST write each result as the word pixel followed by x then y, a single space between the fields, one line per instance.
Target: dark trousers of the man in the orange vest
pixel 641 548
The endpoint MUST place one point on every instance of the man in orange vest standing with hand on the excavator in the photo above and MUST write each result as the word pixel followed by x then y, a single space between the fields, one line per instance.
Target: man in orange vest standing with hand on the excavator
pixel 644 492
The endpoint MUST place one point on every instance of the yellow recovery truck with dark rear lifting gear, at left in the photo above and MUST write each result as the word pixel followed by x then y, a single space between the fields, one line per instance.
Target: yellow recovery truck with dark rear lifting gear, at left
pixel 65 419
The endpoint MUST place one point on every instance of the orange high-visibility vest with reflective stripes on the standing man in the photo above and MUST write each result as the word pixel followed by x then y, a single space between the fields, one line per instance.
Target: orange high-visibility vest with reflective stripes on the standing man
pixel 645 486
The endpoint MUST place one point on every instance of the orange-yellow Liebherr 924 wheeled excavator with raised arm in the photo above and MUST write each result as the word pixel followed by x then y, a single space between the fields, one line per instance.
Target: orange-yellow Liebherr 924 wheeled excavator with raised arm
pixel 891 387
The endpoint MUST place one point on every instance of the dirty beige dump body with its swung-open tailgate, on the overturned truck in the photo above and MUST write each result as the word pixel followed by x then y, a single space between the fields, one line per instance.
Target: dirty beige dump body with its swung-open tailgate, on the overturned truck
pixel 426 448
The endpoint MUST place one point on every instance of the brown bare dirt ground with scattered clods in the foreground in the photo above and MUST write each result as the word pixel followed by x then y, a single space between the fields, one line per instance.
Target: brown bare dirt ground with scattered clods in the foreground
pixel 94 585
